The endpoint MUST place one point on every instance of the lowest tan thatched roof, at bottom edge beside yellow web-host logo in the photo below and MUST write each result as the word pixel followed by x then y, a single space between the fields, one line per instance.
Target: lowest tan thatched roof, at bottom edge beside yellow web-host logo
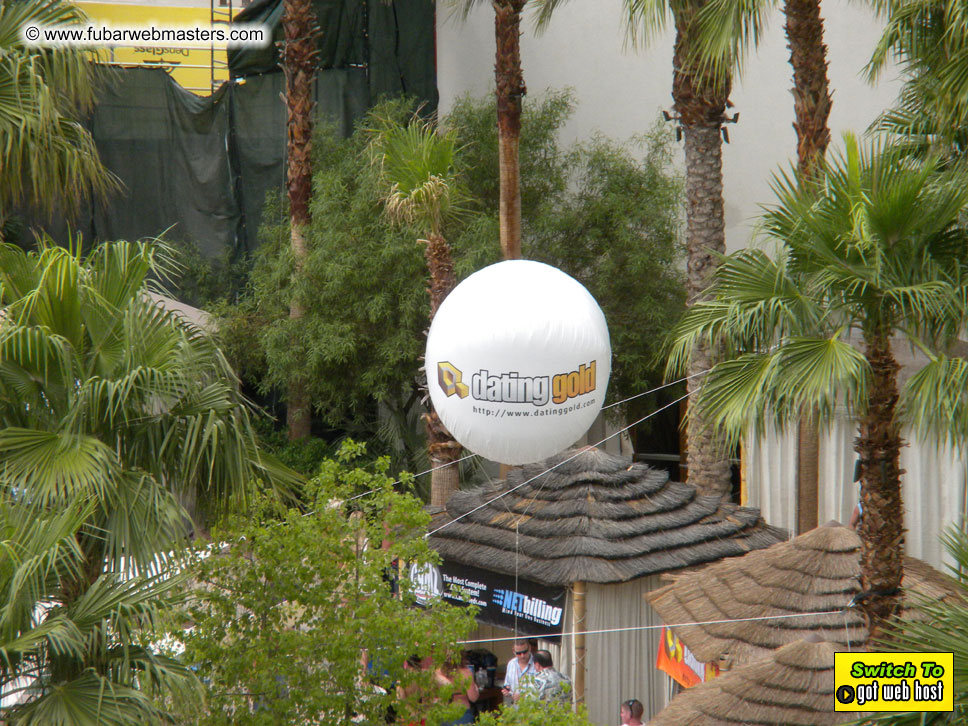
pixel 793 686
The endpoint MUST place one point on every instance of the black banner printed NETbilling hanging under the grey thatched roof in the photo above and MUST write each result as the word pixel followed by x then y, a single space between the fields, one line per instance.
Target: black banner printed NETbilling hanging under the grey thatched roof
pixel 527 607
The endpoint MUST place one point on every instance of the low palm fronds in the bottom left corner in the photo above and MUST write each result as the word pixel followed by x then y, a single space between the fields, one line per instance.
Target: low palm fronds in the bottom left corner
pixel 40 633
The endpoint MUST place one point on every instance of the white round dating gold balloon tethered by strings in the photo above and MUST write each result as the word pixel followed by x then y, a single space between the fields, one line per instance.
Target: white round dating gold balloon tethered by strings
pixel 518 359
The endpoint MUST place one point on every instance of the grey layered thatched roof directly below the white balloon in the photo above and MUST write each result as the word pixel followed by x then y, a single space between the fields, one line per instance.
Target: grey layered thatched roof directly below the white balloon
pixel 596 518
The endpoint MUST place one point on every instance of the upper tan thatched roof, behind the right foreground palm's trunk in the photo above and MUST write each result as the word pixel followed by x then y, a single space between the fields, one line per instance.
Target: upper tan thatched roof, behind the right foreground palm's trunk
pixel 818 571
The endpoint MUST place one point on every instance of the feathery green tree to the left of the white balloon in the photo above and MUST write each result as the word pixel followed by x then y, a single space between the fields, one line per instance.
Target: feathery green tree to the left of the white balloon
pixel 366 305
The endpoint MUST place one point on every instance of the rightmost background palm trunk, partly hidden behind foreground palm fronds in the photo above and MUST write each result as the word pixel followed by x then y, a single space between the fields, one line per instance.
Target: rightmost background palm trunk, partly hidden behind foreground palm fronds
pixel 811 103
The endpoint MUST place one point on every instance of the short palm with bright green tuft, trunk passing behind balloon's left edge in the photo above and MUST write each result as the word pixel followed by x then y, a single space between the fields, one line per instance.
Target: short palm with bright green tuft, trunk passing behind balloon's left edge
pixel 416 162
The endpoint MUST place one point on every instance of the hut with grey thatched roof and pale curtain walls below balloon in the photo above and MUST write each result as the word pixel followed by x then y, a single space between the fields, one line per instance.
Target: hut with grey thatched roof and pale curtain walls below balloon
pixel 604 528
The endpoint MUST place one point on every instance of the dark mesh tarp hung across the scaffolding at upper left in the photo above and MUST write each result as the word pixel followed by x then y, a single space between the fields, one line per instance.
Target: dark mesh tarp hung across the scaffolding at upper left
pixel 198 169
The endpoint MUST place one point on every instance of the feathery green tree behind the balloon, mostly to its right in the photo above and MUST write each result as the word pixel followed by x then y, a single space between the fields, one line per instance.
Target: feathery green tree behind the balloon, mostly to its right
pixel 607 213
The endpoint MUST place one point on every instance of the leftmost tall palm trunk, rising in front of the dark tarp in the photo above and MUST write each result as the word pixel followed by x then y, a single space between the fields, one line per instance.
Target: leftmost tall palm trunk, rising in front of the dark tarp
pixel 298 61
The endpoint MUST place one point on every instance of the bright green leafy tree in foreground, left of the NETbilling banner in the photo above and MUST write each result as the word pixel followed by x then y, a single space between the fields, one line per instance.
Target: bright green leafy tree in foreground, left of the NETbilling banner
pixel 311 618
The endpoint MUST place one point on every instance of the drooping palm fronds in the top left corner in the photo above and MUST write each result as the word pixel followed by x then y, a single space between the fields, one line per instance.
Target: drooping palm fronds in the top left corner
pixel 49 160
